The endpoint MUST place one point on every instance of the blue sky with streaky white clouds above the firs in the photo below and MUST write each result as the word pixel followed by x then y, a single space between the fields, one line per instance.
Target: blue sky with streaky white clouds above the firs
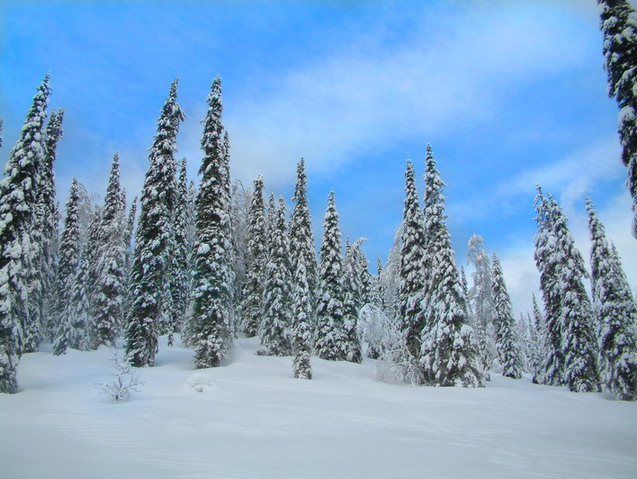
pixel 509 94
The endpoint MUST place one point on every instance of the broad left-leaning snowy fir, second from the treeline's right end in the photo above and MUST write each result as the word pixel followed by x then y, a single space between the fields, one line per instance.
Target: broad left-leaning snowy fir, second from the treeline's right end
pixel 572 349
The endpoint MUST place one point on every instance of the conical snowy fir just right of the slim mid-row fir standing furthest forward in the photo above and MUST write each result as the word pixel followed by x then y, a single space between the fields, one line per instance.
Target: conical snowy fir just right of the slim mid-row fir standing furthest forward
pixel 330 336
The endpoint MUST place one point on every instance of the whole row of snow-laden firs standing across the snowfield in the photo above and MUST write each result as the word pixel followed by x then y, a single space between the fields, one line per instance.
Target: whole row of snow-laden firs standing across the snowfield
pixel 214 261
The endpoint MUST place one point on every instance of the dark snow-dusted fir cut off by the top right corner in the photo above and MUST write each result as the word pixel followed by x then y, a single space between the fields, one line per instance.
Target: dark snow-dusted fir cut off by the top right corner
pixel 619 26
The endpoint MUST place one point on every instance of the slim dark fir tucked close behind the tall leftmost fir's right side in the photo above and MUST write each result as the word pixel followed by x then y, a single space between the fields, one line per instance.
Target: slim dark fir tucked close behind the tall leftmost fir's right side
pixel 47 217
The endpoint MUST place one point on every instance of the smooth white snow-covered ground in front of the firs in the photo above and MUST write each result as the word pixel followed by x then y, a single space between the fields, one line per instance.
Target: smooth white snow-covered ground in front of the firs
pixel 254 420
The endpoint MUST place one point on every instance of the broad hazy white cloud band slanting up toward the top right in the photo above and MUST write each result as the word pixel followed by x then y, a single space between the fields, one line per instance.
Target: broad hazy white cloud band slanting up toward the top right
pixel 365 95
